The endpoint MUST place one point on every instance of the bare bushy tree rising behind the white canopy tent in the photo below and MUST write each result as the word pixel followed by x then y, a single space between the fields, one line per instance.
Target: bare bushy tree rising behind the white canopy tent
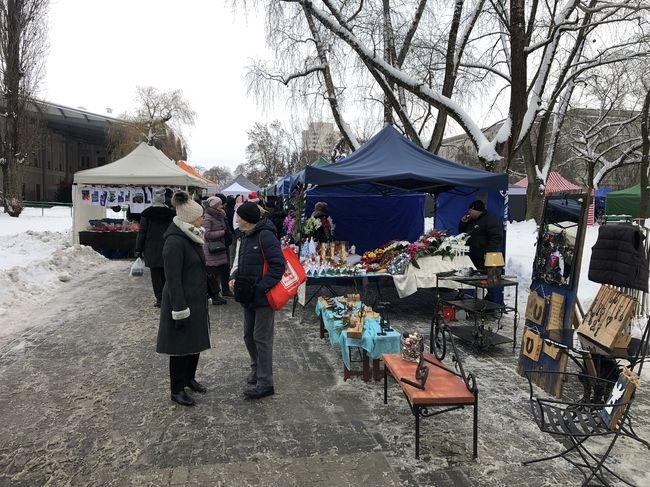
pixel 158 120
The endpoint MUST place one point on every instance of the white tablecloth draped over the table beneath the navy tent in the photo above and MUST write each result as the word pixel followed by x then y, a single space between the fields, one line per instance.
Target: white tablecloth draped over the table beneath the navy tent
pixel 427 275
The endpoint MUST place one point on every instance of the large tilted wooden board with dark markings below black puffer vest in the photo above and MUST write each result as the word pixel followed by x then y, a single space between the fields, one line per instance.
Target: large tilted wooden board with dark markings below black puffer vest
pixel 606 319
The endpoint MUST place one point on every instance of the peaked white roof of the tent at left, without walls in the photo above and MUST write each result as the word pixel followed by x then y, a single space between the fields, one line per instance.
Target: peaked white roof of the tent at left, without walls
pixel 145 165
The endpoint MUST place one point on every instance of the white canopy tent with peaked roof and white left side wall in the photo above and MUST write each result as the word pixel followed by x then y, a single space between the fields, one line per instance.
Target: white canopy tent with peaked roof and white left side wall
pixel 144 166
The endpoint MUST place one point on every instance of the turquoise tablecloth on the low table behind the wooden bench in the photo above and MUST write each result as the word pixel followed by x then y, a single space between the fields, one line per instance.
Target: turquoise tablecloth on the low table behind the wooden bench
pixel 370 341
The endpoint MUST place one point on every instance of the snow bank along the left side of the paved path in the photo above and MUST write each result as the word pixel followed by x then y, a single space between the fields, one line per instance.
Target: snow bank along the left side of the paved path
pixel 37 256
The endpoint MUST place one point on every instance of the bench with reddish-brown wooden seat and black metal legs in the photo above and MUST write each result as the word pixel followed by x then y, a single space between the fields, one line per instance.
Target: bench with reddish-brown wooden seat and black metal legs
pixel 444 388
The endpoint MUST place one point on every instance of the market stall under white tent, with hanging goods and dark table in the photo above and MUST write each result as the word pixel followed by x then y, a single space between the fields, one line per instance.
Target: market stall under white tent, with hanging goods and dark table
pixel 126 181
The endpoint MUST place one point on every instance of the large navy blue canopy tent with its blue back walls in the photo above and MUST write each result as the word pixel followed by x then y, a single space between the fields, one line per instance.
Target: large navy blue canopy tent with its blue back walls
pixel 389 163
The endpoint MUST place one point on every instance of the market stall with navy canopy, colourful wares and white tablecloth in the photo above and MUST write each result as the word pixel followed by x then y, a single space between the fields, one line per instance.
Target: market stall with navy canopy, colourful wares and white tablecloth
pixel 393 168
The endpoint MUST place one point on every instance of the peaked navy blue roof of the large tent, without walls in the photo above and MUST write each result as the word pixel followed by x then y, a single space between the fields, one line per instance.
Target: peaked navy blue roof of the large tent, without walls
pixel 390 159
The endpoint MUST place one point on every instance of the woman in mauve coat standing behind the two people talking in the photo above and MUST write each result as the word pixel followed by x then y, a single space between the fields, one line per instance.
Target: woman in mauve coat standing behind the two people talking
pixel 215 227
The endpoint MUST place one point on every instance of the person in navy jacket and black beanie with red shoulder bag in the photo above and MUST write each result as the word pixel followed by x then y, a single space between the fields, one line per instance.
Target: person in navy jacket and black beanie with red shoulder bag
pixel 258 244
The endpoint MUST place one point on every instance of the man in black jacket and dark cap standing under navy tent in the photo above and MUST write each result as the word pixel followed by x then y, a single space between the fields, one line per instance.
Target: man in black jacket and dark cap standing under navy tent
pixel 485 235
